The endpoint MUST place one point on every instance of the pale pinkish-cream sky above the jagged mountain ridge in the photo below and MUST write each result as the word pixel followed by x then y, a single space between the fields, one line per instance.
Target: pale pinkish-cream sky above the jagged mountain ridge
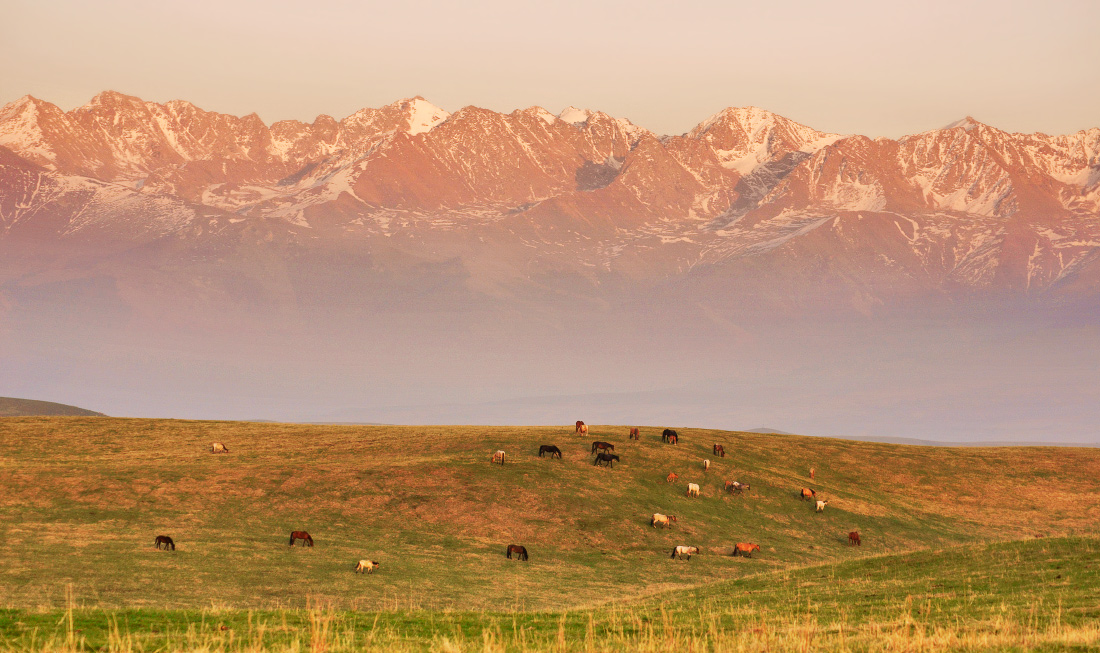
pixel 849 67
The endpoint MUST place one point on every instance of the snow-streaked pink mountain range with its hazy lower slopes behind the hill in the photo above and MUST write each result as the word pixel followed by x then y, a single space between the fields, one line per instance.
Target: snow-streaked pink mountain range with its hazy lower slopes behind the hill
pixel 406 264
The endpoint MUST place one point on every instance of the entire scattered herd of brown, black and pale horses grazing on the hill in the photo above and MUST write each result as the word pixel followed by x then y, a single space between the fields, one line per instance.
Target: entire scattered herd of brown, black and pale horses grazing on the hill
pixel 603 457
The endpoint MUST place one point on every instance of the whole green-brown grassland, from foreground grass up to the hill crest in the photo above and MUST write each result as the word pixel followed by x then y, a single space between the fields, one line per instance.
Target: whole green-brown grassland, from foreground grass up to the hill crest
pixel 83 500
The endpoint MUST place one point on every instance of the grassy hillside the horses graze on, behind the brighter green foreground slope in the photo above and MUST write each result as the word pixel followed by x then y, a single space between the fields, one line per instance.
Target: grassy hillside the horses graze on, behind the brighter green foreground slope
pixel 427 504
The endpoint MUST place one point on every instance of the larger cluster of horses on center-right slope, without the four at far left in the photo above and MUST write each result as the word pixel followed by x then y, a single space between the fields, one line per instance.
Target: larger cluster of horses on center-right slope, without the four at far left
pixel 603 457
